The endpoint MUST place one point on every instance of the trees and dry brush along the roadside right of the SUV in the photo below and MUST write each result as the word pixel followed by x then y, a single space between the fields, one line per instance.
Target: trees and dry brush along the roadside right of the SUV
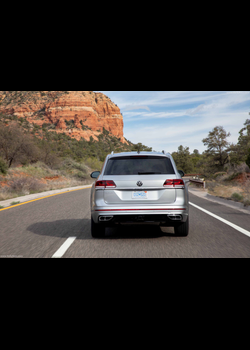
pixel 224 165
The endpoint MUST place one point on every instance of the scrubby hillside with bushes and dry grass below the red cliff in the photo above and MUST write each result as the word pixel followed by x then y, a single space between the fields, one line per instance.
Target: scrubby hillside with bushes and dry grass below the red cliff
pixel 33 159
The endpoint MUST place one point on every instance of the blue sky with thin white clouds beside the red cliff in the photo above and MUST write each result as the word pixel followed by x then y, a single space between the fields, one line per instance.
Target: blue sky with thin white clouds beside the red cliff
pixel 164 120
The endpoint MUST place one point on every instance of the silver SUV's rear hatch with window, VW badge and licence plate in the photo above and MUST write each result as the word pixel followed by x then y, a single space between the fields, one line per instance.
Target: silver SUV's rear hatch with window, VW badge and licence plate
pixel 139 180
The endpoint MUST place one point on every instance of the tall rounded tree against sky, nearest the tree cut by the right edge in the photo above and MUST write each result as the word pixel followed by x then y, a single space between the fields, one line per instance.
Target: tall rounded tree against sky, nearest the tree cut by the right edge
pixel 218 146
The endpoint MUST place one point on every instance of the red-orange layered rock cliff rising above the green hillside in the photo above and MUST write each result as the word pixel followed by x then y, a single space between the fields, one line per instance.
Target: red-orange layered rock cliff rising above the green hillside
pixel 75 113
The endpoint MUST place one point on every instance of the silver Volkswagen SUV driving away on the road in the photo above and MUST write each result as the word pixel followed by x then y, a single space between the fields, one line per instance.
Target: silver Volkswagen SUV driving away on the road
pixel 139 187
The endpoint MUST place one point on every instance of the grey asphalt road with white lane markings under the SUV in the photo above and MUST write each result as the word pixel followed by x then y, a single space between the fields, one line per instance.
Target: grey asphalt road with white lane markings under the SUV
pixel 42 228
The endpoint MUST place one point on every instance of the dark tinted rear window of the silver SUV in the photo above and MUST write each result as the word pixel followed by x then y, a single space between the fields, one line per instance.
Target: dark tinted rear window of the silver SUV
pixel 140 165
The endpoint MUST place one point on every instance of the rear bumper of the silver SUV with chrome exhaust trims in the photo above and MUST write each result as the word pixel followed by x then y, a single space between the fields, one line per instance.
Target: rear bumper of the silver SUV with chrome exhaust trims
pixel 163 216
